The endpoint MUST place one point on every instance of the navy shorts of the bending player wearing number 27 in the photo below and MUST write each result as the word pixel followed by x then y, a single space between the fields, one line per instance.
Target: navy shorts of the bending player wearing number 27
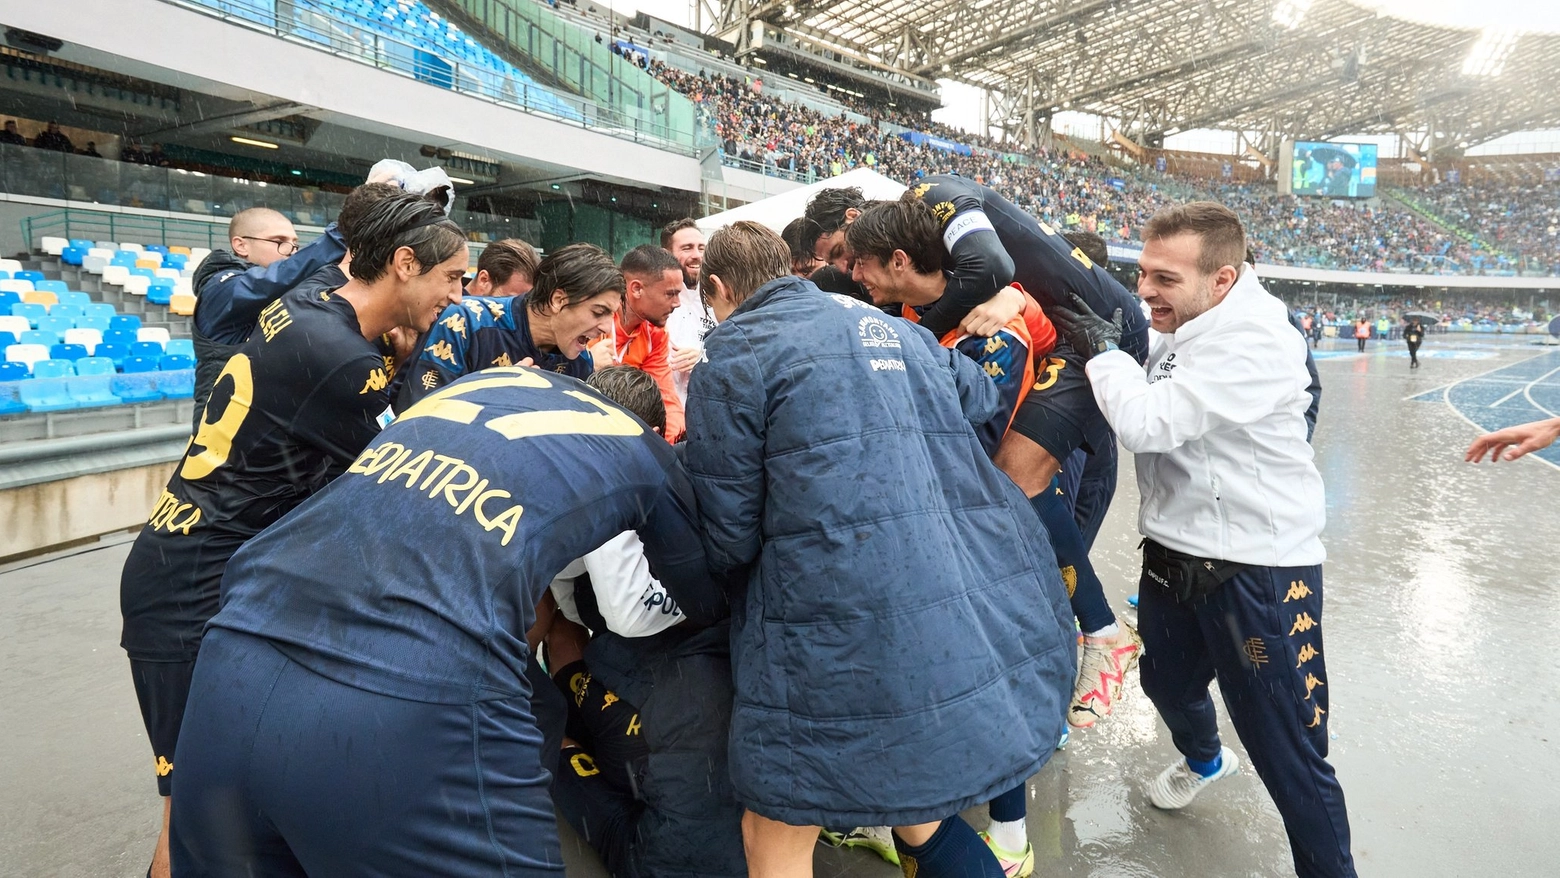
pixel 288 773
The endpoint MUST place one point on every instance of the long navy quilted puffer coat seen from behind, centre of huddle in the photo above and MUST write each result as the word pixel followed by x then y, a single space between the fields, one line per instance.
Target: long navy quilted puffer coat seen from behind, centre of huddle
pixel 906 648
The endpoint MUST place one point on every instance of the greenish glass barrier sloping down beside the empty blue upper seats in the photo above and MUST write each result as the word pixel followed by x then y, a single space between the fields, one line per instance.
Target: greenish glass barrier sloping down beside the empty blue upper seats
pixel 584 62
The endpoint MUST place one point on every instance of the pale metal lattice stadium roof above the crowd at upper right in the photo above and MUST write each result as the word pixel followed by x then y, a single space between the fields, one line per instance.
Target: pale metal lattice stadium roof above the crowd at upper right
pixel 1275 68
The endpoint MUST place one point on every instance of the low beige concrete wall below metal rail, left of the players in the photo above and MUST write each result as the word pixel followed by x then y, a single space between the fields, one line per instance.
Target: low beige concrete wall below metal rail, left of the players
pixel 52 514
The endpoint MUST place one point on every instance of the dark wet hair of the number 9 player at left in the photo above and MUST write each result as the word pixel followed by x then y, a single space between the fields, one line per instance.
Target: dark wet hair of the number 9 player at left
pixel 402 221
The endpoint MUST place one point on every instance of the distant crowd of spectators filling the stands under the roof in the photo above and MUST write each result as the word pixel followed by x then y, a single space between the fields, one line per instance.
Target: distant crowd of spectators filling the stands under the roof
pixel 1069 189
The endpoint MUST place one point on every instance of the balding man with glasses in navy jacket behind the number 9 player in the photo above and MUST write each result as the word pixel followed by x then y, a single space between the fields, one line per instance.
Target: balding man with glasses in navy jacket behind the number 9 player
pixel 233 288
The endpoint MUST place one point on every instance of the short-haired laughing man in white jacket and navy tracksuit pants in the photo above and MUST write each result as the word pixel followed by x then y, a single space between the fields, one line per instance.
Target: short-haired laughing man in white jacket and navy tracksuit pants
pixel 1233 514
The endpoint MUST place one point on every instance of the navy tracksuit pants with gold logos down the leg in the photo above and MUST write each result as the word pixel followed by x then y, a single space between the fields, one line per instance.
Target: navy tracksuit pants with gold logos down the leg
pixel 1261 635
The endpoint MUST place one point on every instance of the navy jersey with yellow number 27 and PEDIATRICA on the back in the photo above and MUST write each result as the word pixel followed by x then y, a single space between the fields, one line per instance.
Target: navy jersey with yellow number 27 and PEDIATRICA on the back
pixel 417 573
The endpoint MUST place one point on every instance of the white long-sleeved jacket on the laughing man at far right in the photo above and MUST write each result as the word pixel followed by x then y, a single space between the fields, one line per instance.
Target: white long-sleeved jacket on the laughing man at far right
pixel 1219 430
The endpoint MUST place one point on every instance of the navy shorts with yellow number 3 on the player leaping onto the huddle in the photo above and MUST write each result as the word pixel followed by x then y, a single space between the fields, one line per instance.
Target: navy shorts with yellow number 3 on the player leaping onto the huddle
pixel 1060 412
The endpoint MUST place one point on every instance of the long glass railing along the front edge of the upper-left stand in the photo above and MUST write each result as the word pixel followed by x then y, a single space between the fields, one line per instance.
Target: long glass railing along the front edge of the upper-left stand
pixel 352 38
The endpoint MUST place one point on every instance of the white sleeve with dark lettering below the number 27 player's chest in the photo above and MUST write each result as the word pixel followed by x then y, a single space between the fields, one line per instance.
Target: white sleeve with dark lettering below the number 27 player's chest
pixel 633 601
